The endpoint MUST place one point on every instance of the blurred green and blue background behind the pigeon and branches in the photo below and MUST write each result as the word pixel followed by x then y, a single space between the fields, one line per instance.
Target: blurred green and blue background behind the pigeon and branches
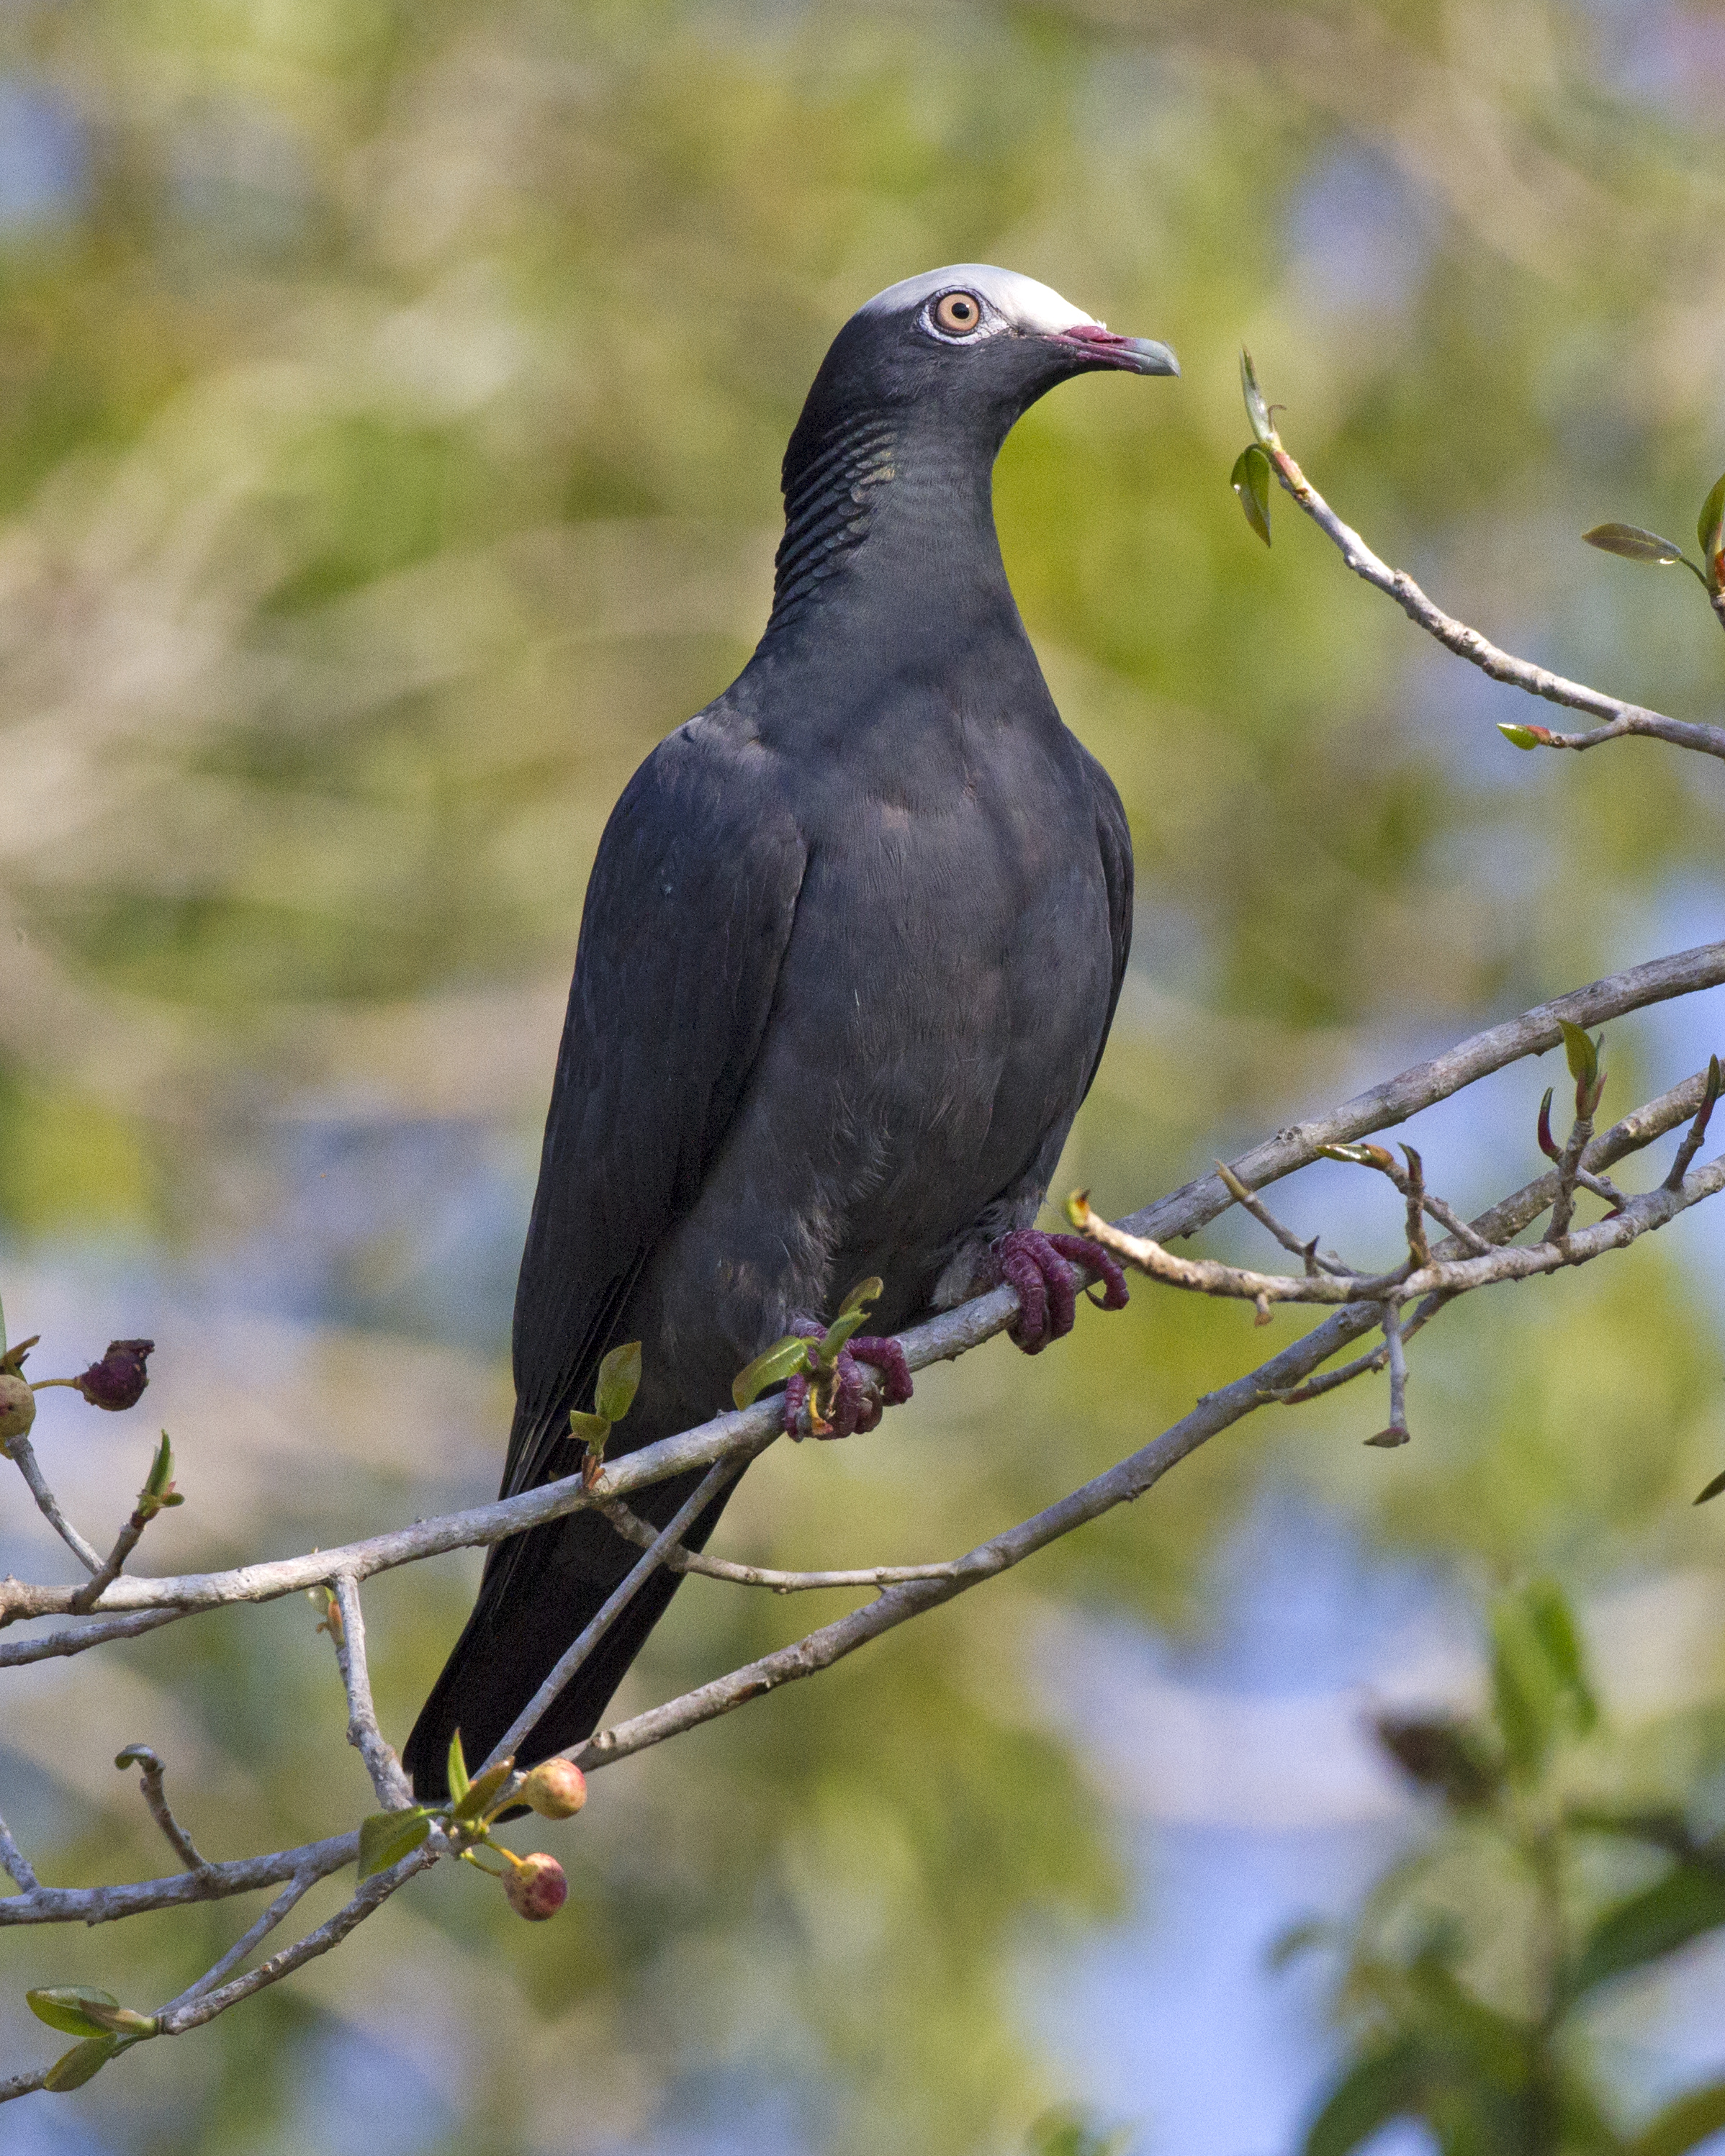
pixel 391 404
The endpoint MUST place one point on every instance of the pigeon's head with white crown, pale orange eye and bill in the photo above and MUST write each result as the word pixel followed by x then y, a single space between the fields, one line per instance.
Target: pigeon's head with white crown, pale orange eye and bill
pixel 967 350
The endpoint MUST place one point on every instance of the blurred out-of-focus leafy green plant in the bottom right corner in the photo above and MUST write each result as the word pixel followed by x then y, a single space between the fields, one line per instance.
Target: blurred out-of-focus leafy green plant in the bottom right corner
pixel 1560 1870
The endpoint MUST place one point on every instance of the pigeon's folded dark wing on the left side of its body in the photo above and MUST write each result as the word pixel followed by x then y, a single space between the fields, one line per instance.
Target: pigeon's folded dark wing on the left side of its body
pixel 680 948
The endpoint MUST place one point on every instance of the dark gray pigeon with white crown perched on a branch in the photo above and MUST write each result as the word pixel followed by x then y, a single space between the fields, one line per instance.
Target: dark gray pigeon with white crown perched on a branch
pixel 851 954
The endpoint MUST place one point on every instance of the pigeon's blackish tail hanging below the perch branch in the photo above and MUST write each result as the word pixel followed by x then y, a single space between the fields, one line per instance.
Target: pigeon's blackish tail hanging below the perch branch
pixel 536 1599
